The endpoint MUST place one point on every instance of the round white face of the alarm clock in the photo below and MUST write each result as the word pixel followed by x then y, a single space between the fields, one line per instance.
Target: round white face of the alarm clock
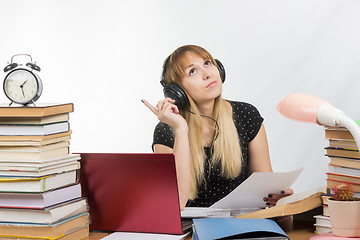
pixel 22 86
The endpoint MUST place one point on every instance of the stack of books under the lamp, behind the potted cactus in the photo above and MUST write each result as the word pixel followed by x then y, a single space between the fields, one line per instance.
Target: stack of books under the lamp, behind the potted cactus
pixel 344 167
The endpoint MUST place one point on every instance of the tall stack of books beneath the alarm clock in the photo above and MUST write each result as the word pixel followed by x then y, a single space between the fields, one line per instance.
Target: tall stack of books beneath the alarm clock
pixel 40 196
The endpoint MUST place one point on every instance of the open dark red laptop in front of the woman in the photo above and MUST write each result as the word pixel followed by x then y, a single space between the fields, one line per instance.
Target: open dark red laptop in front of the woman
pixel 132 192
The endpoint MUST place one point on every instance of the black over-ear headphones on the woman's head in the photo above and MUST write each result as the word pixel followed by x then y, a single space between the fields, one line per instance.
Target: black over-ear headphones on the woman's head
pixel 175 91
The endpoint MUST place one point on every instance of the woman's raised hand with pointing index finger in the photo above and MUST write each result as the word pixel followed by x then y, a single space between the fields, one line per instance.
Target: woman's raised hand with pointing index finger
pixel 167 112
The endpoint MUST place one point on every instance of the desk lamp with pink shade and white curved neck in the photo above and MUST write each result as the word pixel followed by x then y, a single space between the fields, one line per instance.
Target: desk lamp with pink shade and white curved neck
pixel 310 109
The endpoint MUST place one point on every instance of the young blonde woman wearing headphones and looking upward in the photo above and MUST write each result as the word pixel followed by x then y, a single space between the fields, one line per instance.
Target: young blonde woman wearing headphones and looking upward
pixel 217 143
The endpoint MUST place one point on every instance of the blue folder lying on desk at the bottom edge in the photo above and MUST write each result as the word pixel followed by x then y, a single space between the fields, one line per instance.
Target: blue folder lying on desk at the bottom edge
pixel 236 228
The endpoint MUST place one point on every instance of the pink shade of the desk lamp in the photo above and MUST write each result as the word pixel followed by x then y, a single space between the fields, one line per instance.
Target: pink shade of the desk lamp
pixel 301 107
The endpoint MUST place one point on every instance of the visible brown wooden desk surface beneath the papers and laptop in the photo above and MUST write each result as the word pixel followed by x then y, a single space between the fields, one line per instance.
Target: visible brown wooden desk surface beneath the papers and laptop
pixel 295 229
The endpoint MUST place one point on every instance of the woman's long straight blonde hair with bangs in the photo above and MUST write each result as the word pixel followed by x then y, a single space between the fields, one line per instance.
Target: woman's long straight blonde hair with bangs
pixel 227 150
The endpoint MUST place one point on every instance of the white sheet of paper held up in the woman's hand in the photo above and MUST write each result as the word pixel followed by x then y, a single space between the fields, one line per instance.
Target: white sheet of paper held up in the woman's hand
pixel 250 193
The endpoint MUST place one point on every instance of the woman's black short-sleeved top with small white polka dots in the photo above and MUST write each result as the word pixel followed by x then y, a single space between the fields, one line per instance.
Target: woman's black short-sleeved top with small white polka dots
pixel 248 121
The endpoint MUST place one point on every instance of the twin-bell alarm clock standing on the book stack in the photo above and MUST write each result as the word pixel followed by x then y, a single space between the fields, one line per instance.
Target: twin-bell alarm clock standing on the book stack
pixel 21 84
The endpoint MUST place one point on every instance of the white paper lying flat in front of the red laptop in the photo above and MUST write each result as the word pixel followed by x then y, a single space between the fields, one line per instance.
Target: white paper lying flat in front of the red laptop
pixel 143 236
